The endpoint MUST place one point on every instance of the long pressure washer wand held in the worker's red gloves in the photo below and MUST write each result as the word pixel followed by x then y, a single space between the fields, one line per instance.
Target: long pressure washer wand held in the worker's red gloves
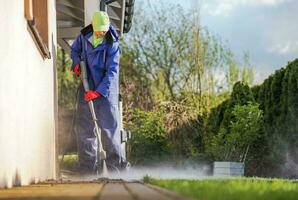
pixel 101 151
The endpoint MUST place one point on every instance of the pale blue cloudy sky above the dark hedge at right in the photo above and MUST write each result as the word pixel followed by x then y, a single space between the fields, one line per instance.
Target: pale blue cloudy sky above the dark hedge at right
pixel 267 29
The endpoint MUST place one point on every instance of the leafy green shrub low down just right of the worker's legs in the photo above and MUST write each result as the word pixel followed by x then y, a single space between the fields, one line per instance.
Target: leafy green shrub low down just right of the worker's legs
pixel 149 140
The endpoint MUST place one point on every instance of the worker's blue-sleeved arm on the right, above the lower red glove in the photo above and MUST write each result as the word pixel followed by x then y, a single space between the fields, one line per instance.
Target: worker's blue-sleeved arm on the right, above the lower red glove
pixel 112 73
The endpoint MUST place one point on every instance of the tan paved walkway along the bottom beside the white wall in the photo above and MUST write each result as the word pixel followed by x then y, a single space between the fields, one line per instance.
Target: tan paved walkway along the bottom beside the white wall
pixel 101 190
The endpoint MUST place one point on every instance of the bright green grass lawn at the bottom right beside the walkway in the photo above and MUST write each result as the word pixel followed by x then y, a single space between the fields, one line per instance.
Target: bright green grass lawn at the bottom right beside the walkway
pixel 232 189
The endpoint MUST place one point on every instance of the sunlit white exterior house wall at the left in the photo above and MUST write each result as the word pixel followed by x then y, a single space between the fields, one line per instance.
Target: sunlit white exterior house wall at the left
pixel 27 127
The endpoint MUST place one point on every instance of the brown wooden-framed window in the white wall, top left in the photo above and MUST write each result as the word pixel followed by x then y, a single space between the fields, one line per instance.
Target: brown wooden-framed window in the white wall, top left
pixel 36 13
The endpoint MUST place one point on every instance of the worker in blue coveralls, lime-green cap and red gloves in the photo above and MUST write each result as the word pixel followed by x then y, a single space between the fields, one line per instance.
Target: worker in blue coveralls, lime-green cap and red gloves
pixel 100 42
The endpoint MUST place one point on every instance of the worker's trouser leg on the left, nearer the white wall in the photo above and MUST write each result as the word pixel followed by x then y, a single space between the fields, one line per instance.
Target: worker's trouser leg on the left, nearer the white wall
pixel 87 142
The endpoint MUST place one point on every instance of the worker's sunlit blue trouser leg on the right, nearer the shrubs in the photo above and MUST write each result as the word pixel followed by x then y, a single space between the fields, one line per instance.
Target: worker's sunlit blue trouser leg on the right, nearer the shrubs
pixel 109 118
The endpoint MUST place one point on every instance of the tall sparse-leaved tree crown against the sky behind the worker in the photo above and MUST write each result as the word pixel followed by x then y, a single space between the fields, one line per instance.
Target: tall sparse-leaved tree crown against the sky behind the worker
pixel 171 54
